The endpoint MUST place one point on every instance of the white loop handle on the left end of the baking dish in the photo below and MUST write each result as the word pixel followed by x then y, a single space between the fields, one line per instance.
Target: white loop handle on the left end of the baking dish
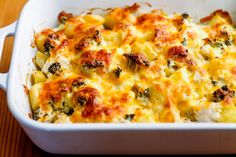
pixel 5 32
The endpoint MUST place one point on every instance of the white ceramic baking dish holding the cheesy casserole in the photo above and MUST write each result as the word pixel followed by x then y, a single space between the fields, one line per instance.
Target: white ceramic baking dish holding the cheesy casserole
pixel 105 138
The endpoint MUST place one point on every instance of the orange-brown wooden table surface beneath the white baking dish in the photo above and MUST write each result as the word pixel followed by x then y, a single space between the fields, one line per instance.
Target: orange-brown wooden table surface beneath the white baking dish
pixel 13 140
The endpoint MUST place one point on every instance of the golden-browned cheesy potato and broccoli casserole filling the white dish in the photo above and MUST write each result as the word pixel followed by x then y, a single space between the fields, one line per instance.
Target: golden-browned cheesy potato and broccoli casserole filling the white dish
pixel 127 66
